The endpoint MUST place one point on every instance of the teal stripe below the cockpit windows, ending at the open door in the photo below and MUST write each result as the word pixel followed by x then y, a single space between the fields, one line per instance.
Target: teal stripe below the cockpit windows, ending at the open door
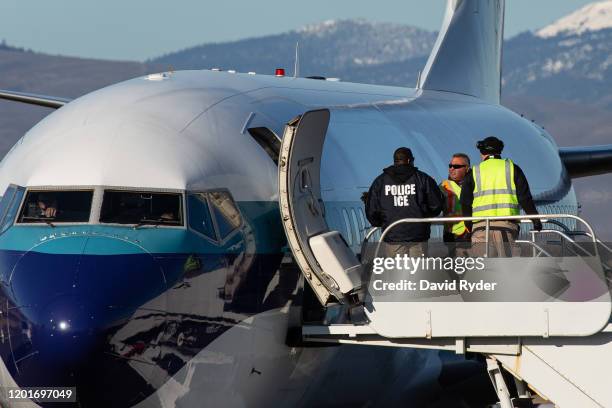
pixel 261 219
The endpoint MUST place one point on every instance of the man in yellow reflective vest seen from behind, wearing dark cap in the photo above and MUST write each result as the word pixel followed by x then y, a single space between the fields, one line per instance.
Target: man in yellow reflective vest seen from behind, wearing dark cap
pixel 496 187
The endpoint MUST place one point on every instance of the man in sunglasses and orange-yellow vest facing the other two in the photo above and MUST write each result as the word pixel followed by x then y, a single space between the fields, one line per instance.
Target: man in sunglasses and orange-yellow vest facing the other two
pixel 451 190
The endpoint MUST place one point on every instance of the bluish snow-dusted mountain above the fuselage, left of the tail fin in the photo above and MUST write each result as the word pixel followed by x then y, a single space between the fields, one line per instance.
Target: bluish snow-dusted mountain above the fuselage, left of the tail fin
pixel 331 48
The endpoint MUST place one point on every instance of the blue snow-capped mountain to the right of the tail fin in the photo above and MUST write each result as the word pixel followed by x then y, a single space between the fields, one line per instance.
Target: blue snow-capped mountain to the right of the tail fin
pixel 570 59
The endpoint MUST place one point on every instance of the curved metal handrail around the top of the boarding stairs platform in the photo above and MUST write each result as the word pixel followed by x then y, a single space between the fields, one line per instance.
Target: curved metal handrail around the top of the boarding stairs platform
pixel 545 218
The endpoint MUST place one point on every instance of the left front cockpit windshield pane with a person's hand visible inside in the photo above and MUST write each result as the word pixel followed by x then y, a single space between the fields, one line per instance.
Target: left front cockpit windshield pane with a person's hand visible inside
pixel 56 206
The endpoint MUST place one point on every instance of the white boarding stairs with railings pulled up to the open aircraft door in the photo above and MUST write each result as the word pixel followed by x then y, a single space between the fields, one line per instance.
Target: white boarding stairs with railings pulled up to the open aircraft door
pixel 556 341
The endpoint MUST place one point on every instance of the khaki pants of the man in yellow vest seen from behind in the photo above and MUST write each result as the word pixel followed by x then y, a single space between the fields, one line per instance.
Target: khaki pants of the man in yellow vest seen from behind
pixel 502 235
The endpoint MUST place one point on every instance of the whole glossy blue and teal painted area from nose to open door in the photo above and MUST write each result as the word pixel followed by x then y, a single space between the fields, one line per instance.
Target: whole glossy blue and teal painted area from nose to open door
pixel 136 304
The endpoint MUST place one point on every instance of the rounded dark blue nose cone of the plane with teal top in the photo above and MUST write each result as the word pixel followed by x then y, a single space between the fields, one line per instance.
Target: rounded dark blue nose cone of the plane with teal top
pixel 69 299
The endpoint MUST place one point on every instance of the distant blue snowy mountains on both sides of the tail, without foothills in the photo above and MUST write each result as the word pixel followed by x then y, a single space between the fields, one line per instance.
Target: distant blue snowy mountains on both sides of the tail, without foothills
pixel 569 60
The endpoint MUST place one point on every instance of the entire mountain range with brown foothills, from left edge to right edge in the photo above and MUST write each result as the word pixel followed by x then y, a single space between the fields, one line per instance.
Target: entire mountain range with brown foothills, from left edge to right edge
pixel 560 75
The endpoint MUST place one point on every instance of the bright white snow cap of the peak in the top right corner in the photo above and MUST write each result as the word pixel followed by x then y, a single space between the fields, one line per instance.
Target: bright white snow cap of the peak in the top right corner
pixel 592 17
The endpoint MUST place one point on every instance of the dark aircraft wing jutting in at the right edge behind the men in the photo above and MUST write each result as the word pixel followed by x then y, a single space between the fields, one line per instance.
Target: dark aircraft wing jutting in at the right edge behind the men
pixel 587 161
